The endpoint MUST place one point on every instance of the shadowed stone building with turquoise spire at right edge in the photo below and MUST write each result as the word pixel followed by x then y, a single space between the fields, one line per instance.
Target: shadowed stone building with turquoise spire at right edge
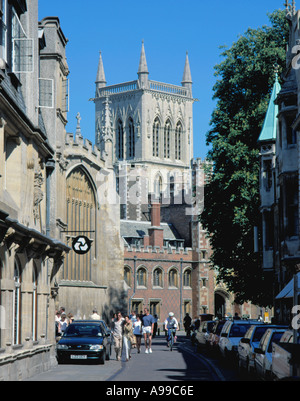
pixel 279 184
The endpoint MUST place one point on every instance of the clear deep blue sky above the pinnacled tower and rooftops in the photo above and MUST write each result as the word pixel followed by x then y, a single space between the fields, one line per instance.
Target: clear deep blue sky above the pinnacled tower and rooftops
pixel 169 28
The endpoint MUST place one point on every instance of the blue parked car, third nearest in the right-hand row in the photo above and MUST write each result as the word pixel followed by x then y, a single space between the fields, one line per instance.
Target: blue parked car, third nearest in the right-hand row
pixel 248 343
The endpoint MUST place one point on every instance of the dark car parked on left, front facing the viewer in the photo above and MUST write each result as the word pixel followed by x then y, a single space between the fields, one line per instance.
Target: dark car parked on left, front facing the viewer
pixel 84 340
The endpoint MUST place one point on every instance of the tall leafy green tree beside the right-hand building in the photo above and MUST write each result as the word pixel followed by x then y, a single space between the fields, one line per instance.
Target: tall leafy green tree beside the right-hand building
pixel 244 82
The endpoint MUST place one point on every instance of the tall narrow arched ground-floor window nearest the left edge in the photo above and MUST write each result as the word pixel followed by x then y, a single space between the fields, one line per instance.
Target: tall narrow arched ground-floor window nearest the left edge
pixel 17 303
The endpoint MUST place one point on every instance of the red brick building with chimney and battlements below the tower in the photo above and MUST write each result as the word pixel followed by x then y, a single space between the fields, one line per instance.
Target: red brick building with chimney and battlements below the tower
pixel 161 273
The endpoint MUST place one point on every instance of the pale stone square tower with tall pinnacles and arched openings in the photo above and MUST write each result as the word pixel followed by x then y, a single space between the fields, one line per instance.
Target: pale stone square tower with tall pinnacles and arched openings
pixel 144 129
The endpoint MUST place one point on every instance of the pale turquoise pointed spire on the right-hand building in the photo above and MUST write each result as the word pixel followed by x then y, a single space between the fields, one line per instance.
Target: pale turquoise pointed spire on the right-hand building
pixel 268 132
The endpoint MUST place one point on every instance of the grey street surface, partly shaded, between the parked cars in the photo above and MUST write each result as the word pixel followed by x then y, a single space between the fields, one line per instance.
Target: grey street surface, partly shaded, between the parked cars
pixel 182 364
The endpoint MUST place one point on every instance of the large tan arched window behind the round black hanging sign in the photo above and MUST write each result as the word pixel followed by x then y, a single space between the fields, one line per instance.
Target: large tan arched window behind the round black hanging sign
pixel 81 219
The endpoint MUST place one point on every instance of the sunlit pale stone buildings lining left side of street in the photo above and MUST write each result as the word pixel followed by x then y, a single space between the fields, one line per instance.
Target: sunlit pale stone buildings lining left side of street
pixel 49 193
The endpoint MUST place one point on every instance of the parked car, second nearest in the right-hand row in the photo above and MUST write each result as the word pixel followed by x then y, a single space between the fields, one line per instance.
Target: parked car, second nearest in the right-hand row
pixel 263 353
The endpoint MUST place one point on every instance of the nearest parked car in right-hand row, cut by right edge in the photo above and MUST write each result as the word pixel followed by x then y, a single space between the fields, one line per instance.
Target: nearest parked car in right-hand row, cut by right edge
pixel 286 358
